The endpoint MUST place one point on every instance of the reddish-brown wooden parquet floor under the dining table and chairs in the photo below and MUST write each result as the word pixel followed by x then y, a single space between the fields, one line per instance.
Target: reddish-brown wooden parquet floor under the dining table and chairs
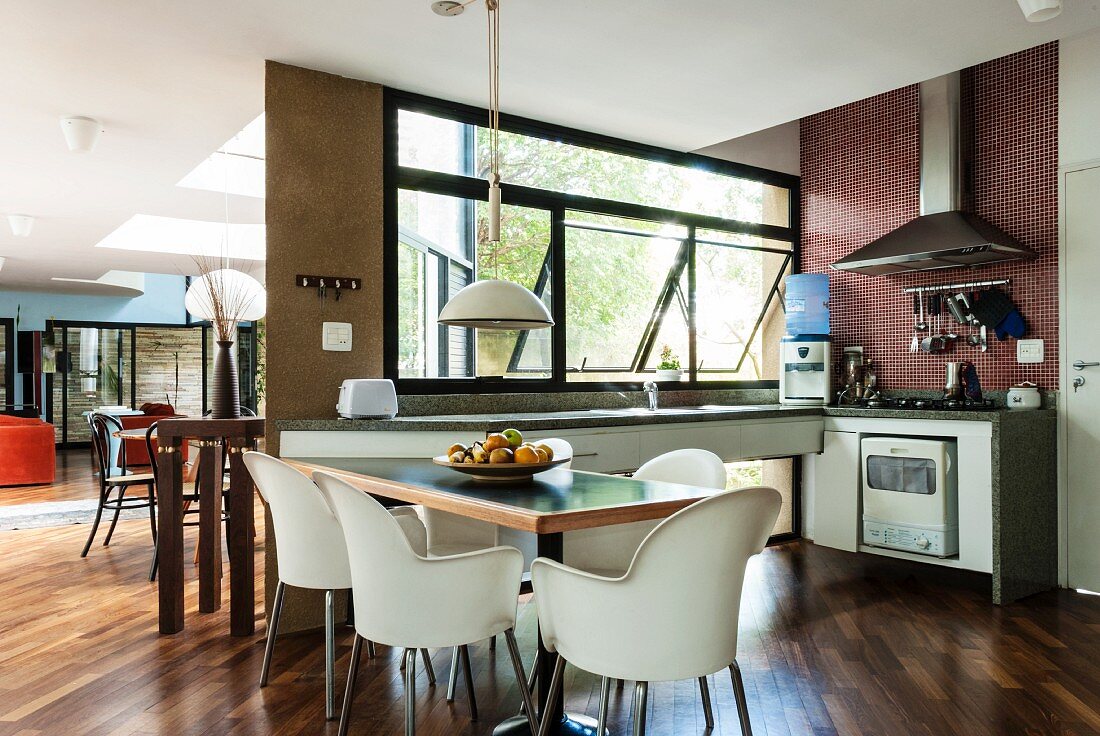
pixel 831 644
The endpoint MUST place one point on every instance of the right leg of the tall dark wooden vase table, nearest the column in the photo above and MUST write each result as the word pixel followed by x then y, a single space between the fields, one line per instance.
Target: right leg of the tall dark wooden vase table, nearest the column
pixel 243 574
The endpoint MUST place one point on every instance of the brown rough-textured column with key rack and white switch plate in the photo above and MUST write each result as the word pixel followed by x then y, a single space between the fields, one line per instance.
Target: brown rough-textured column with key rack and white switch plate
pixel 324 212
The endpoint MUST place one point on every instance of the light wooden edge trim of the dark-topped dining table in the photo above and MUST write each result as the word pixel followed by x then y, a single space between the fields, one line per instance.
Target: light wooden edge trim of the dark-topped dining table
pixel 502 514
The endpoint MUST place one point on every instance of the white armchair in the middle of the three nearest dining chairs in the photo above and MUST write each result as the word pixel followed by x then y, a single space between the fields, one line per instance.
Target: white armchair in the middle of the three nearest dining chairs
pixel 408 599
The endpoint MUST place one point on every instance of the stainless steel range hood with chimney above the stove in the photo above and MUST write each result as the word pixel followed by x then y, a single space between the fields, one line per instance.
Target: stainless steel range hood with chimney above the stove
pixel 943 237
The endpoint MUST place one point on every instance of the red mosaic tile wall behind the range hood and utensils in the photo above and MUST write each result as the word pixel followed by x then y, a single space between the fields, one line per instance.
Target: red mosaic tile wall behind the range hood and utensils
pixel 861 179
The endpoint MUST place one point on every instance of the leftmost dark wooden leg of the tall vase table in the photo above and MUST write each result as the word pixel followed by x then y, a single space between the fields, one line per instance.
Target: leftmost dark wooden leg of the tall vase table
pixel 170 536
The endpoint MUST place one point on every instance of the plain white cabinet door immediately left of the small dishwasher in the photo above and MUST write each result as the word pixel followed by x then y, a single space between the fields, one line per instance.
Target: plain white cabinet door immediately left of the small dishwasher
pixel 837 492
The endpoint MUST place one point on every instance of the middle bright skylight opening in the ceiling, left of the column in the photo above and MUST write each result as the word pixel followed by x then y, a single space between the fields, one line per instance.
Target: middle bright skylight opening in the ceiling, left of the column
pixel 169 235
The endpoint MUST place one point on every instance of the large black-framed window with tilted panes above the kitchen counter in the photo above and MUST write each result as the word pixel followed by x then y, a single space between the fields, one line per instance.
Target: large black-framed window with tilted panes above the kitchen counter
pixel 634 249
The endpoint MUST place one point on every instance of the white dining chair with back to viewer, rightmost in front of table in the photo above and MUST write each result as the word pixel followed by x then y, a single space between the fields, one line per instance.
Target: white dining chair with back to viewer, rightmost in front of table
pixel 673 616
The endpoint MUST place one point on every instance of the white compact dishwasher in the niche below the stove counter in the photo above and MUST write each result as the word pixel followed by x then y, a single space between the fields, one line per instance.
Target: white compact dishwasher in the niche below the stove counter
pixel 910 489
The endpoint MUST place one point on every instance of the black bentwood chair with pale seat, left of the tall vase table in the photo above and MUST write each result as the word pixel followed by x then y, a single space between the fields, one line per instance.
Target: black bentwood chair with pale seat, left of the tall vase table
pixel 115 481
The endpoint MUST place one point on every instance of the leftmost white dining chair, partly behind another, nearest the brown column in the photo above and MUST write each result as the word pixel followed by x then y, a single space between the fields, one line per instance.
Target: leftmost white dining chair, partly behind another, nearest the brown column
pixel 312 552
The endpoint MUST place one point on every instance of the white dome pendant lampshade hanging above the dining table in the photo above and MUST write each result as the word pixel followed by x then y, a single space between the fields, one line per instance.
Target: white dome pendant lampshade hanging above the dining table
pixel 497 305
